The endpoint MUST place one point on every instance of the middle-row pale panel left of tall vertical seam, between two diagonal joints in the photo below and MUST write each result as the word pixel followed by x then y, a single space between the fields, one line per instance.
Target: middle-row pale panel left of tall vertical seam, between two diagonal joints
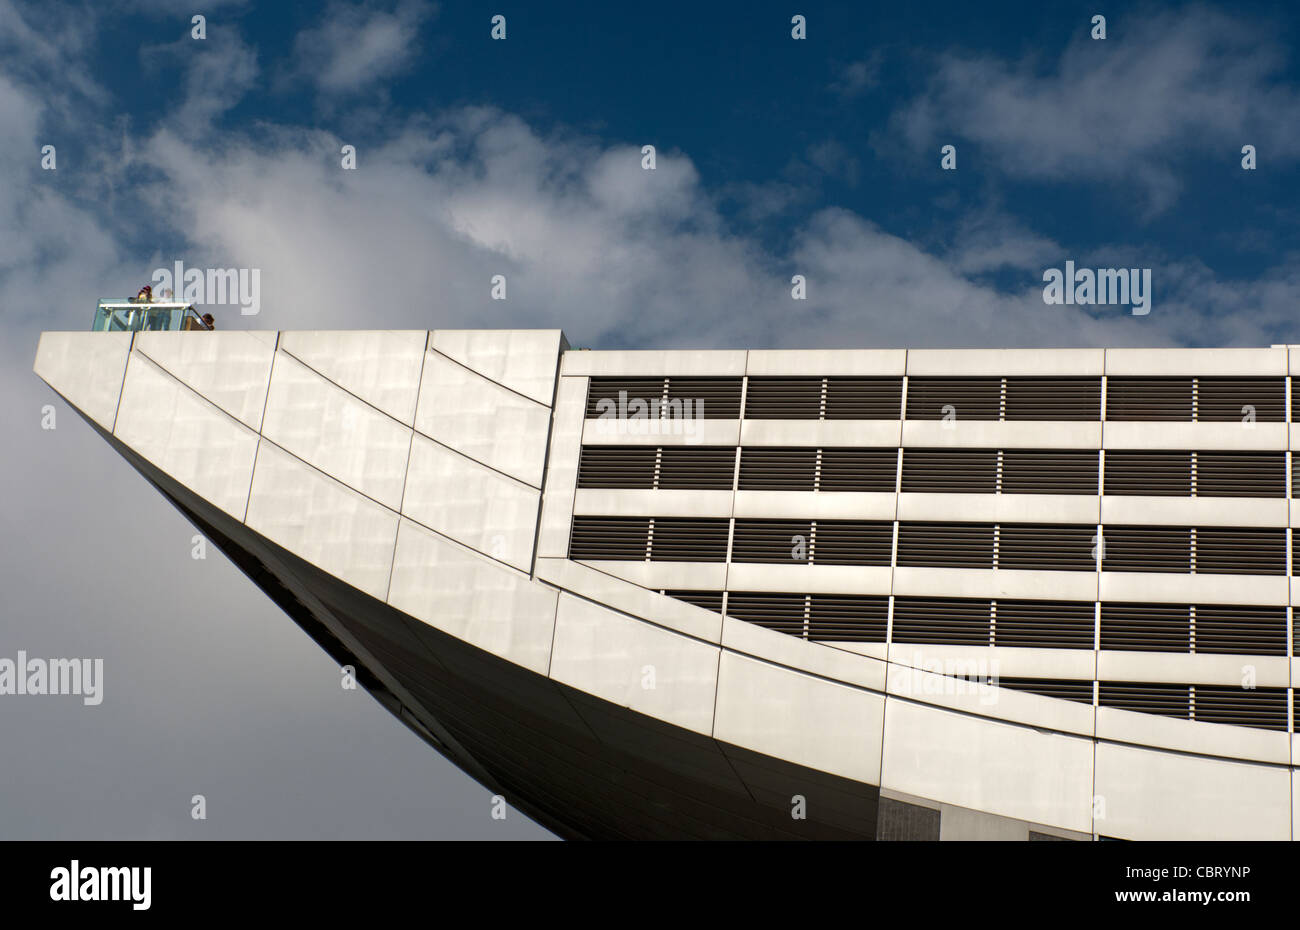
pixel 473 504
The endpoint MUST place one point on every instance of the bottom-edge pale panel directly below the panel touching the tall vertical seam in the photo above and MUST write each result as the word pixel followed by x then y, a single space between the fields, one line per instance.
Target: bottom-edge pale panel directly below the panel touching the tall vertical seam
pixel 473 598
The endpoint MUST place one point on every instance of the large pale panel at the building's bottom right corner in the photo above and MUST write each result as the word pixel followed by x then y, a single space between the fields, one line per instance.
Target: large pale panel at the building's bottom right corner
pixel 1155 795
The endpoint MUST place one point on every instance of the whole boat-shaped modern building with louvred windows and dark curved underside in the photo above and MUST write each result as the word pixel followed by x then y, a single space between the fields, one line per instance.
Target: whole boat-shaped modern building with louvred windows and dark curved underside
pixel 879 594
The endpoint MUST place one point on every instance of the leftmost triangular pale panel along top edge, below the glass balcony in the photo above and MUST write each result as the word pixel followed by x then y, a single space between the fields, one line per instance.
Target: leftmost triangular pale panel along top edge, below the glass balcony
pixel 231 369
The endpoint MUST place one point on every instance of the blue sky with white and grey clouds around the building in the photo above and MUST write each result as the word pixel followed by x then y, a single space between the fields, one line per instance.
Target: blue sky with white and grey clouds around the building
pixel 523 158
